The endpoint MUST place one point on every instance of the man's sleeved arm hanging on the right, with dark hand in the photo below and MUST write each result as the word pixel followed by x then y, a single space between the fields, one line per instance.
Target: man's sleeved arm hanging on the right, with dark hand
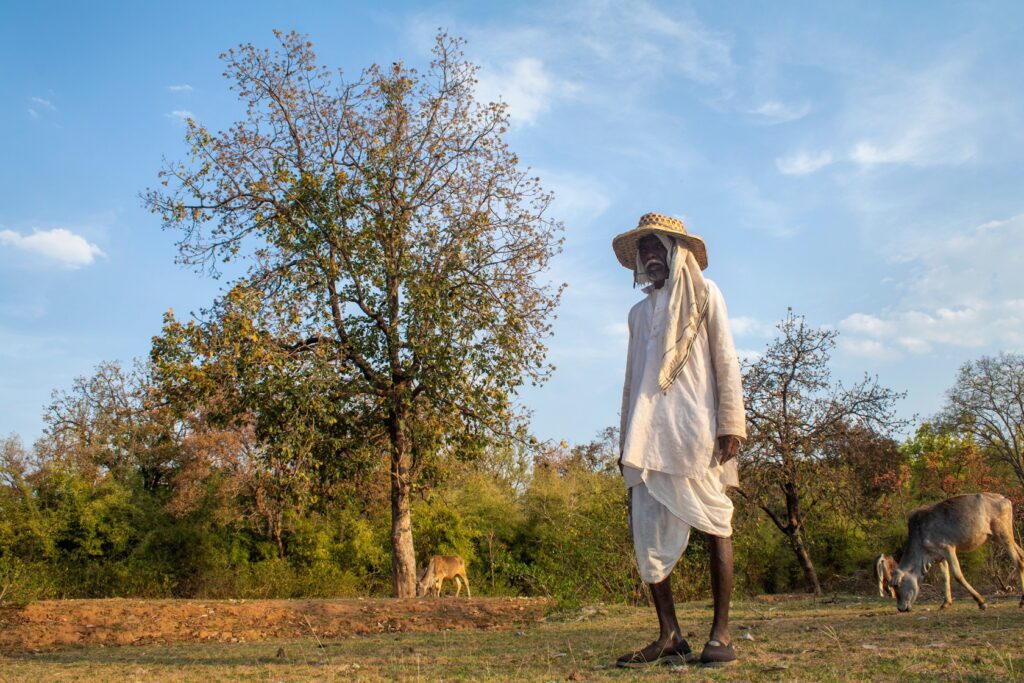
pixel 732 425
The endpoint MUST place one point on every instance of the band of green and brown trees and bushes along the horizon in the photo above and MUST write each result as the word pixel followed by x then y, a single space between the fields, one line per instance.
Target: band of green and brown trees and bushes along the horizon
pixel 124 496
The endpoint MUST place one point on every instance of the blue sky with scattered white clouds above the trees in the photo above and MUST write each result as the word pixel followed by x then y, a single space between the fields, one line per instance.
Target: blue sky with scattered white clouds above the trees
pixel 860 162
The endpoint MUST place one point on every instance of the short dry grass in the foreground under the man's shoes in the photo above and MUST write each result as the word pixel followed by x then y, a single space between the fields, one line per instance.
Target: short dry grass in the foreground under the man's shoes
pixel 844 638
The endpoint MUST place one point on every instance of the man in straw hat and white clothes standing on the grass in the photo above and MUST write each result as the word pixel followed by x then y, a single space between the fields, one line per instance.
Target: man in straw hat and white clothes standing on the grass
pixel 682 420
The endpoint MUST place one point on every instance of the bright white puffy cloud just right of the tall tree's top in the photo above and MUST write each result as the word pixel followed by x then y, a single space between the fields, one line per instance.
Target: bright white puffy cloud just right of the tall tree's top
pixel 526 86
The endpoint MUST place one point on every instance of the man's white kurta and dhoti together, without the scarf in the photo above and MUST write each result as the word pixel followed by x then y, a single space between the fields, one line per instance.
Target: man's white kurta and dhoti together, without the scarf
pixel 670 439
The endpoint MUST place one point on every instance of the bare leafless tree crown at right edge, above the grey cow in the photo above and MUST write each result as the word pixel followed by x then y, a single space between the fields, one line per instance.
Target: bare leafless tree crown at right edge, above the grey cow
pixel 988 403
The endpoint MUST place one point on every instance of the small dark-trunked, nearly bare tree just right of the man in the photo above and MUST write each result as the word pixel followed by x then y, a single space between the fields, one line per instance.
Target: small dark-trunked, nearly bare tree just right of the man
pixel 796 415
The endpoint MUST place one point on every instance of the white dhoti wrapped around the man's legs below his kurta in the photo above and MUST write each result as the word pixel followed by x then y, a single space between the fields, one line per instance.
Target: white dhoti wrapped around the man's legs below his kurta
pixel 665 508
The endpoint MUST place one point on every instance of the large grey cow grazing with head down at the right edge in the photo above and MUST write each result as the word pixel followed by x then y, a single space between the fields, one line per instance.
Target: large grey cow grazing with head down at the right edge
pixel 935 534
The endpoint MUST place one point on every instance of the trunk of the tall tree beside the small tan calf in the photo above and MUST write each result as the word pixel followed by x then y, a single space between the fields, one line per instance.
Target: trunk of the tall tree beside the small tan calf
pixel 403 552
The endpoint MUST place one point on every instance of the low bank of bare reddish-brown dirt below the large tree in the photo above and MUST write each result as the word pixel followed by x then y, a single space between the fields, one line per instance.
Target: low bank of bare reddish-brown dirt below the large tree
pixel 55 624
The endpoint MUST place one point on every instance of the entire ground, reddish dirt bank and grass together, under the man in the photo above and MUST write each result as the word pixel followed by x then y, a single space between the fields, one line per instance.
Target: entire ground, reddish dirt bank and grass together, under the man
pixel 782 638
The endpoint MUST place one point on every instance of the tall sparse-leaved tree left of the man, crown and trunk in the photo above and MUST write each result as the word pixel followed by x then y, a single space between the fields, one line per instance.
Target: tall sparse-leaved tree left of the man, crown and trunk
pixel 391 237
